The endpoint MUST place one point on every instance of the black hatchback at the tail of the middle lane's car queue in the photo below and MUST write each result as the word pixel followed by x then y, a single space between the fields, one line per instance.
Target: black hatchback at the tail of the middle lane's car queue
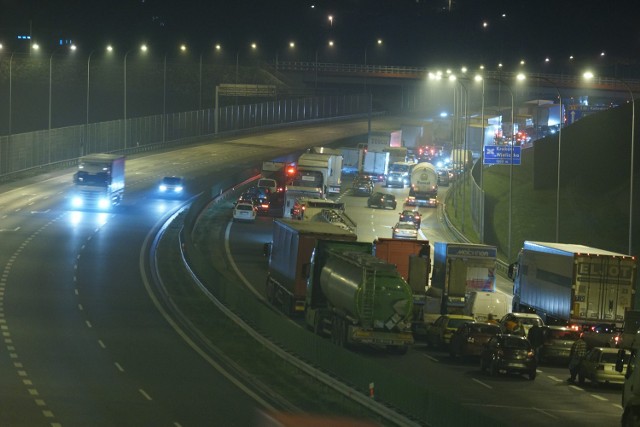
pixel 510 354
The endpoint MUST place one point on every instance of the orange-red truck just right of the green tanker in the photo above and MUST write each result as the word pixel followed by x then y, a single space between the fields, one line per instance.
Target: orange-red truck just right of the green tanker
pixel 412 259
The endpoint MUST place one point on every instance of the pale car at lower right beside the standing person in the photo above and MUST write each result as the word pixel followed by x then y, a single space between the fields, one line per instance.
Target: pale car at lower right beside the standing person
pixel 599 366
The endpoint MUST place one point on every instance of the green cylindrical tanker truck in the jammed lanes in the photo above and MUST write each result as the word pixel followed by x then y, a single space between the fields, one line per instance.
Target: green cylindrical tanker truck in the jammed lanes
pixel 355 298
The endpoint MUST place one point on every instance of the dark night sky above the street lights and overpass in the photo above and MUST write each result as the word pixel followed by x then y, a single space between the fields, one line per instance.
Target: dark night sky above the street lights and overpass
pixel 414 32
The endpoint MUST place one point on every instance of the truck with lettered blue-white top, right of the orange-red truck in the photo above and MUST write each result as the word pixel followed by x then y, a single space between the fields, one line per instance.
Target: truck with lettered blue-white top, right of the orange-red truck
pixel 458 270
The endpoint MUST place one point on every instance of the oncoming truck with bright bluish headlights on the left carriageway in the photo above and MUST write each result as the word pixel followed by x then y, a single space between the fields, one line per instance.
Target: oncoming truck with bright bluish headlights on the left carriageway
pixel 99 181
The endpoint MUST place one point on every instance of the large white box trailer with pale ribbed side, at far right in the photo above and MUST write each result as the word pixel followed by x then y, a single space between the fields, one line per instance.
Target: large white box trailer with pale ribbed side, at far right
pixel 571 283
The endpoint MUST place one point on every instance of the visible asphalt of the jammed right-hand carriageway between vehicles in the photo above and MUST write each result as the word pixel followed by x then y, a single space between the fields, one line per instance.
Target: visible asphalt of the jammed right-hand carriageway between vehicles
pixel 547 401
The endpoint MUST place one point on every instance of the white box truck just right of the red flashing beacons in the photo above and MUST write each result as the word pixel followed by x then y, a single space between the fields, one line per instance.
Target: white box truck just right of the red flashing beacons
pixel 321 168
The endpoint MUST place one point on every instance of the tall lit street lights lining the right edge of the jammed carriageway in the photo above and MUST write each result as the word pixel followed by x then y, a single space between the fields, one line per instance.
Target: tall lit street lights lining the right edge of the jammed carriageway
pixel 521 77
